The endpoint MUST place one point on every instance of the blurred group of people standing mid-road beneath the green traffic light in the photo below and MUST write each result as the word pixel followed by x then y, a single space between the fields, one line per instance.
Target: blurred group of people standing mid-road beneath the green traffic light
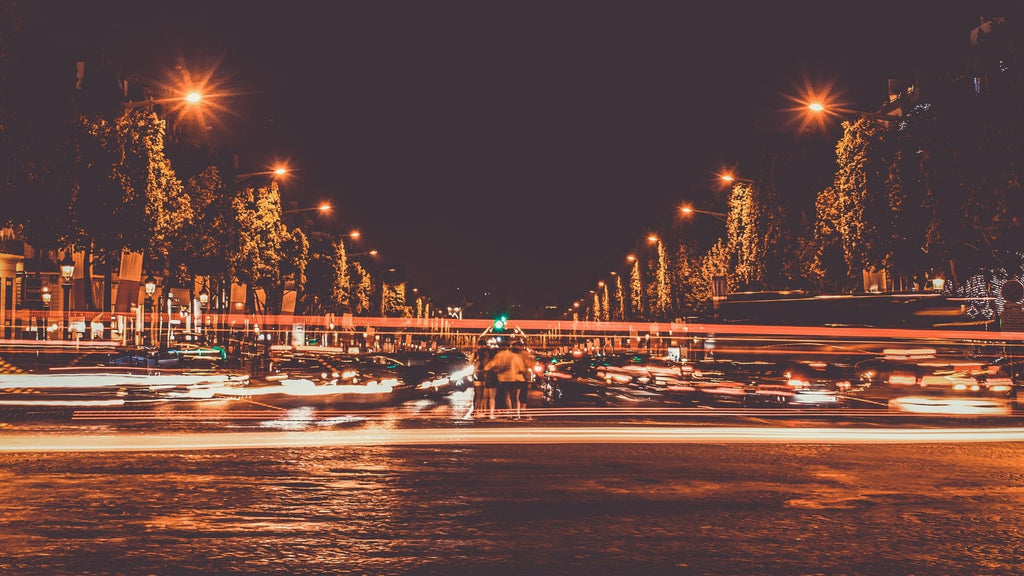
pixel 502 373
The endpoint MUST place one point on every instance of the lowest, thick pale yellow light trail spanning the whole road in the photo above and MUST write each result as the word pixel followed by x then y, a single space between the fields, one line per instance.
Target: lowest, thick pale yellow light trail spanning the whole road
pixel 528 435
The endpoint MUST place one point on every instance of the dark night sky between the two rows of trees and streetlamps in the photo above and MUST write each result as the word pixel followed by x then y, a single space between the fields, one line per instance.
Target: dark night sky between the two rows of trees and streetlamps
pixel 515 148
